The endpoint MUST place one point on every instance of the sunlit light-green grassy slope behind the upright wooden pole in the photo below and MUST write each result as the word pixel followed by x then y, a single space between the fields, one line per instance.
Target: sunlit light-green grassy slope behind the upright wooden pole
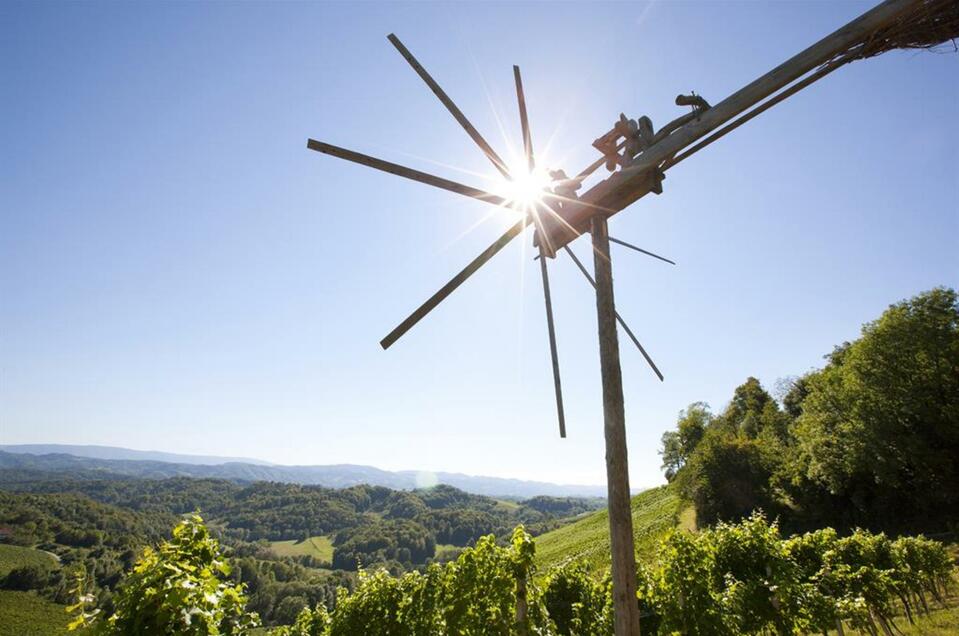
pixel 655 512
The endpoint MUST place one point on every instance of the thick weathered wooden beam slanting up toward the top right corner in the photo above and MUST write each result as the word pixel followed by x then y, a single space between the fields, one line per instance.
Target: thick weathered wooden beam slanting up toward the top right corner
pixel 630 184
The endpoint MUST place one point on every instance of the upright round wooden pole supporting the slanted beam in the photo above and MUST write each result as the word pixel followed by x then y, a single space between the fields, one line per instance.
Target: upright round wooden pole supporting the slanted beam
pixel 625 604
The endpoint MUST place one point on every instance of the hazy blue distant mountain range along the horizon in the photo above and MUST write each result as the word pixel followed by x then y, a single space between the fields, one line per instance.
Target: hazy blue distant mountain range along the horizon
pixel 99 462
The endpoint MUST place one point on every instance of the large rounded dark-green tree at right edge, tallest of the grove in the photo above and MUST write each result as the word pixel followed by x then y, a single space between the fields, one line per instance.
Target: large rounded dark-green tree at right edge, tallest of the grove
pixel 880 422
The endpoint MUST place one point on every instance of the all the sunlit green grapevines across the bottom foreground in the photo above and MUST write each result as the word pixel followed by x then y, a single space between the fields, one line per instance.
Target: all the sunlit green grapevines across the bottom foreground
pixel 741 578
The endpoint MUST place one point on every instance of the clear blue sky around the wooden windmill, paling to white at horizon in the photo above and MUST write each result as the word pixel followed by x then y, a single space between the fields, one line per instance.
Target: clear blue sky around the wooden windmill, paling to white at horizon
pixel 178 272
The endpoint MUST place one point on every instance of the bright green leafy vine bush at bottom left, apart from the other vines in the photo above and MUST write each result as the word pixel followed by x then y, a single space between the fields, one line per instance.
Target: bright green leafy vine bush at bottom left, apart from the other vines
pixel 178 588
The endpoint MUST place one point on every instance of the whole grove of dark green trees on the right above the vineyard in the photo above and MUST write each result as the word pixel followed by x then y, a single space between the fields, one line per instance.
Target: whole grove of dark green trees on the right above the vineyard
pixel 869 441
